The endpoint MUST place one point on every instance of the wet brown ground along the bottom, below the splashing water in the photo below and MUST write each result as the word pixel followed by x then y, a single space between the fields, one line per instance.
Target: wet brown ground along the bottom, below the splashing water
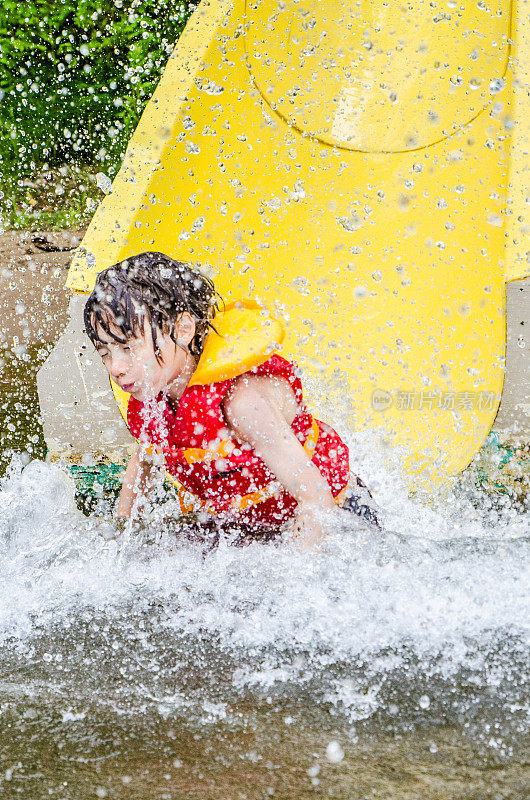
pixel 50 752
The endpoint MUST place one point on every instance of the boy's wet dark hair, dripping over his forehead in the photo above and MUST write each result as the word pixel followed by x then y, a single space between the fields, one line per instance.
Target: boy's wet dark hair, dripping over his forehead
pixel 150 288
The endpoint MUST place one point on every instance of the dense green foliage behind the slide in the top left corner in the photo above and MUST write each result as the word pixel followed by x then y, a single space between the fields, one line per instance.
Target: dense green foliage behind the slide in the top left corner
pixel 75 76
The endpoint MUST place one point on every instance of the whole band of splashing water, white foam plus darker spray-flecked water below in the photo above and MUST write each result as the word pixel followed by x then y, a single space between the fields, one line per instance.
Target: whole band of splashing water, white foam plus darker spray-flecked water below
pixel 426 622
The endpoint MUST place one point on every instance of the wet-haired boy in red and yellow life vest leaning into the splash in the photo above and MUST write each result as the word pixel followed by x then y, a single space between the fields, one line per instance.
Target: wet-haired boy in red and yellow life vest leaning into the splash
pixel 244 445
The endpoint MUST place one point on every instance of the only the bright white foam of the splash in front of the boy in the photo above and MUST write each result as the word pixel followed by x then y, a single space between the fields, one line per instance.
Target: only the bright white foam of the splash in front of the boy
pixel 441 589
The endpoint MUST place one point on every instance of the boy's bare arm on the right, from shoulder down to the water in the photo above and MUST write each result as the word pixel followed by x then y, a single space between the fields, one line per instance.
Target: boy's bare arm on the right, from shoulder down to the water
pixel 259 410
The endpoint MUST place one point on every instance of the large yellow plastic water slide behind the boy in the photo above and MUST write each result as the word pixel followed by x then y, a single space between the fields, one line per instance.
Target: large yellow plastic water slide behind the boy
pixel 358 168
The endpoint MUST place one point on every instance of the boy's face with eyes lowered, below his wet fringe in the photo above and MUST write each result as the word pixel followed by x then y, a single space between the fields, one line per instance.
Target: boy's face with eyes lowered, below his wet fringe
pixel 134 367
